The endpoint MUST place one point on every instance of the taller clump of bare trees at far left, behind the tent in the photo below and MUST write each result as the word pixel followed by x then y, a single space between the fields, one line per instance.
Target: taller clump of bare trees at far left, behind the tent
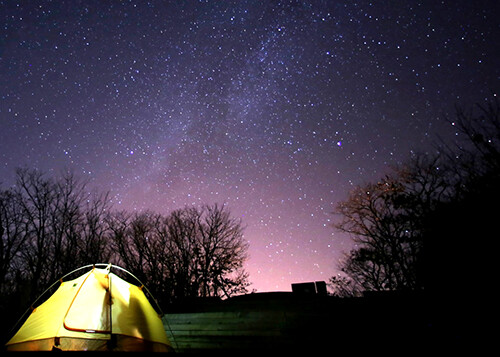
pixel 48 227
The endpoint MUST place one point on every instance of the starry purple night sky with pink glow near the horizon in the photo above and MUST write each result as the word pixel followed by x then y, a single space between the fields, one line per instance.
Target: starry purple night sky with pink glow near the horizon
pixel 275 108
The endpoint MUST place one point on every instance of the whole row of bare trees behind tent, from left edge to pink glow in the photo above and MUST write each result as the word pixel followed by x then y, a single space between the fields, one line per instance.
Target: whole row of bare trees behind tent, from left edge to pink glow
pixel 50 226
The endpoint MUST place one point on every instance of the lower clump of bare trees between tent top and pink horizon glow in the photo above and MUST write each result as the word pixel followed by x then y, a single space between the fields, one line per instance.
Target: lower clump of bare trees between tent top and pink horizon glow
pixel 189 253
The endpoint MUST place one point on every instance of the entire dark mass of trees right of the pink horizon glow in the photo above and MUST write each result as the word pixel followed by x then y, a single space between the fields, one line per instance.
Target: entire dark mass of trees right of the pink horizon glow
pixel 431 224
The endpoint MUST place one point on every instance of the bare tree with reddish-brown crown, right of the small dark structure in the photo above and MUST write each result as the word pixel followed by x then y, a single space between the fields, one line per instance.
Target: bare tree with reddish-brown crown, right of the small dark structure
pixel 385 220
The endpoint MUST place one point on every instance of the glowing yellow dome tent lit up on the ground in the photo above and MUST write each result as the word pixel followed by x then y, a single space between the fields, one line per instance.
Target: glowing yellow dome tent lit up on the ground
pixel 97 311
